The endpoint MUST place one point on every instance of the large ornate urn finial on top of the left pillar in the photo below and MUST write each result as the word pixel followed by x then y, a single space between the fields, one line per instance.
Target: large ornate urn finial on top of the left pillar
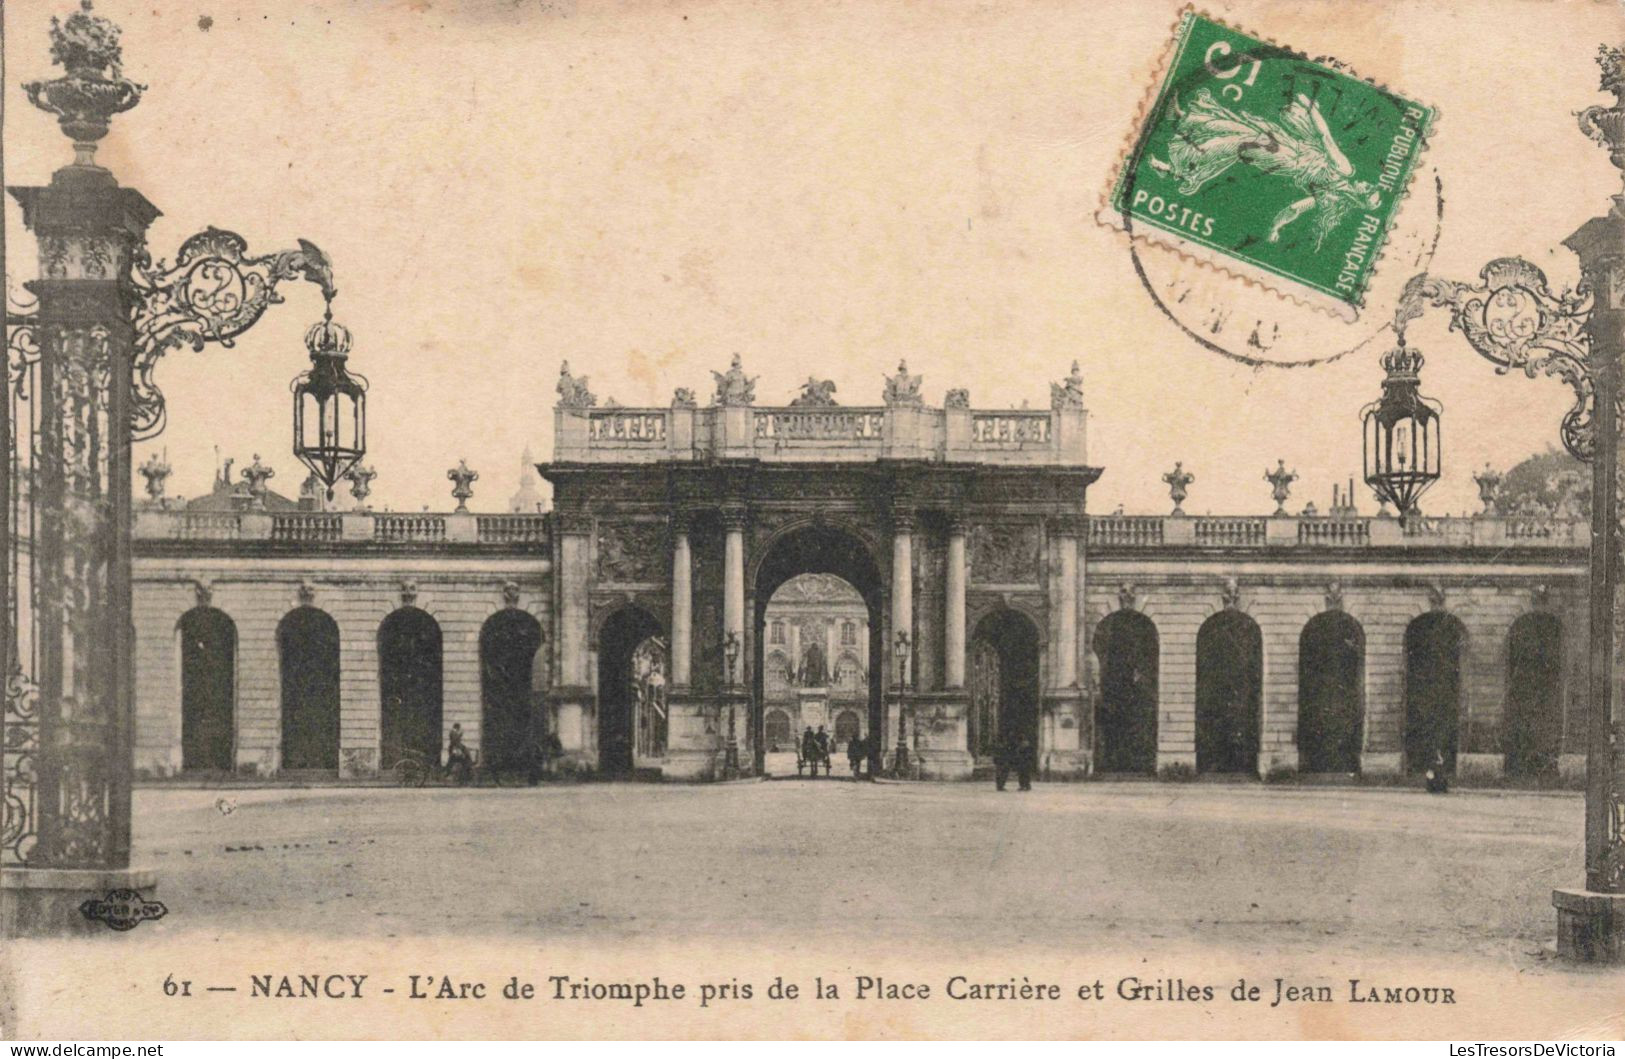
pixel 92 89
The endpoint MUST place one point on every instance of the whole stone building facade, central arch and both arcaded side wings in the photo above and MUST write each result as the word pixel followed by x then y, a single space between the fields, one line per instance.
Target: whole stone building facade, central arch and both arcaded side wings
pixel 714 577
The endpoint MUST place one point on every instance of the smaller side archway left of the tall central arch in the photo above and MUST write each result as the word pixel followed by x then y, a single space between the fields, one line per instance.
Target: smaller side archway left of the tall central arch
pixel 631 691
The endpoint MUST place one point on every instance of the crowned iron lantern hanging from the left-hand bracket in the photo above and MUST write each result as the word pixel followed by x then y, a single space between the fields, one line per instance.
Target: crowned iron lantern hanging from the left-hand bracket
pixel 331 407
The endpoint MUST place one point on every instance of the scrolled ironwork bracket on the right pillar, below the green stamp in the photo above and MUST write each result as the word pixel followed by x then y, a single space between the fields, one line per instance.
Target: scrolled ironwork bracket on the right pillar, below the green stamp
pixel 1515 321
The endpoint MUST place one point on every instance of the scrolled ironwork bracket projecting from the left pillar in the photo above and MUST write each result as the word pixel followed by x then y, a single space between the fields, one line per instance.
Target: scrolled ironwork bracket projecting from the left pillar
pixel 214 293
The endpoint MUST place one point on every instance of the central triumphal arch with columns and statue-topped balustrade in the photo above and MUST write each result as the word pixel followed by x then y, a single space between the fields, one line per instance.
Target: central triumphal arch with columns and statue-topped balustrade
pixel 961 529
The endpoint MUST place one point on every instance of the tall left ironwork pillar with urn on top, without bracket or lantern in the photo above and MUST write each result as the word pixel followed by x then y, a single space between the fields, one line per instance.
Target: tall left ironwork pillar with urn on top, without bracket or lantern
pixel 77 711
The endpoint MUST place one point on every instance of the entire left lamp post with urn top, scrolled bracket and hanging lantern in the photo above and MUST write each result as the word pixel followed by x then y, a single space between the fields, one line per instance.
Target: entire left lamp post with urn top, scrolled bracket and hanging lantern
pixel 80 391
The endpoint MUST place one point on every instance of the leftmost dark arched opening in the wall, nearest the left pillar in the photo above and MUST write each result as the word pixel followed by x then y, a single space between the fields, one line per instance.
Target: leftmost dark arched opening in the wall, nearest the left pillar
pixel 209 689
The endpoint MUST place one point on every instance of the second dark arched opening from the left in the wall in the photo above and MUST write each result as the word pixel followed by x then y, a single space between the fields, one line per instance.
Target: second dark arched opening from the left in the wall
pixel 308 642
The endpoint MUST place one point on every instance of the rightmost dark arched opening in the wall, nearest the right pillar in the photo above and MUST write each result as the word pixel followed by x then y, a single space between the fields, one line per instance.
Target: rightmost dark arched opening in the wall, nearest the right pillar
pixel 1535 696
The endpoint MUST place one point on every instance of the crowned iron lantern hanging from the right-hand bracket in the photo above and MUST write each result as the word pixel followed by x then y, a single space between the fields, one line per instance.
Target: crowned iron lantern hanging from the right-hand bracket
pixel 1402 434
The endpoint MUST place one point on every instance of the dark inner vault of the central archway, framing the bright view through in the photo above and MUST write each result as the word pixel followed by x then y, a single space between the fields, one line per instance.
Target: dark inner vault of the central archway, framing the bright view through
pixel 838 551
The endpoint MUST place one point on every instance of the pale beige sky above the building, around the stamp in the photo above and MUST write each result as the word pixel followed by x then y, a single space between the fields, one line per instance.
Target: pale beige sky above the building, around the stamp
pixel 646 189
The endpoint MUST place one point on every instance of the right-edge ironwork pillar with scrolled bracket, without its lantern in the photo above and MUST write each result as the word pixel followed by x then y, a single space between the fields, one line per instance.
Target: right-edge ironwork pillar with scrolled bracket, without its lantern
pixel 1514 319
